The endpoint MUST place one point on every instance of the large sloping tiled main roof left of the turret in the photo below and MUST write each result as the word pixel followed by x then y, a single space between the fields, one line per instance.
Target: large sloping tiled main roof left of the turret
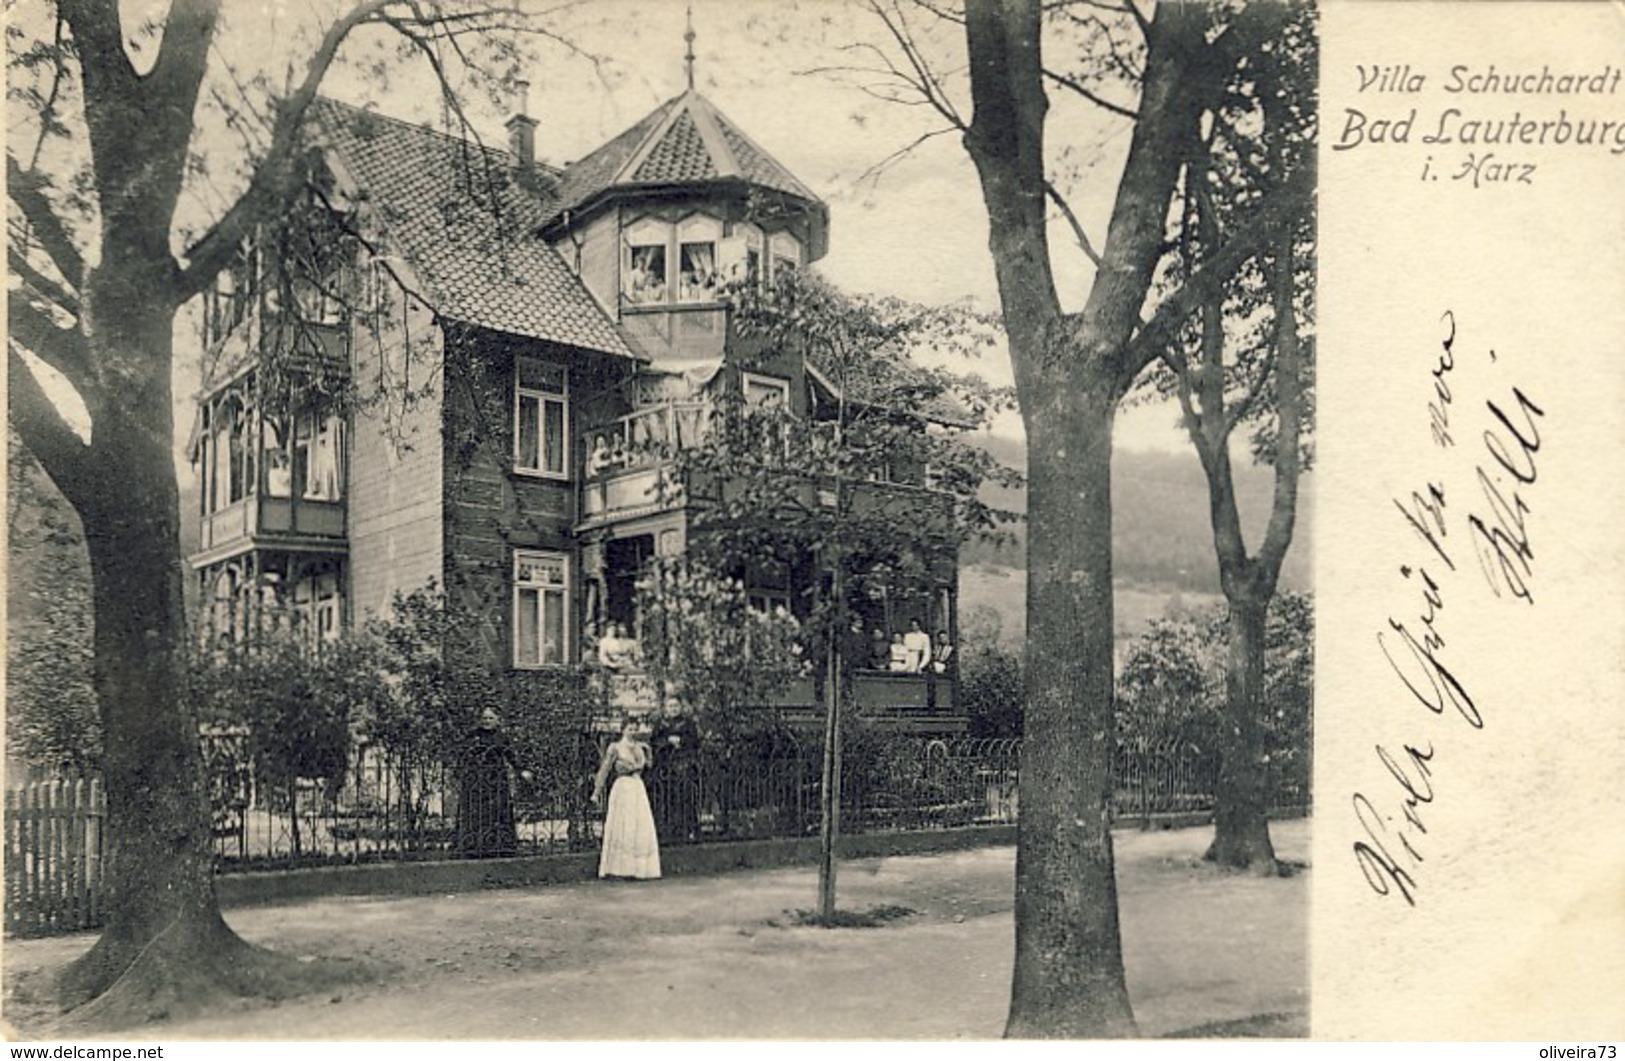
pixel 467 219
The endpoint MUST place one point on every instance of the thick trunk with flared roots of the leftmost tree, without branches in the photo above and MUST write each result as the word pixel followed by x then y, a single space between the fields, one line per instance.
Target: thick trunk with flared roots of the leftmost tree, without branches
pixel 165 948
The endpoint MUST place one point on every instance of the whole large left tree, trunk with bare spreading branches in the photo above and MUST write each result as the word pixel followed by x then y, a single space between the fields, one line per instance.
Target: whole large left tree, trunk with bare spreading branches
pixel 111 108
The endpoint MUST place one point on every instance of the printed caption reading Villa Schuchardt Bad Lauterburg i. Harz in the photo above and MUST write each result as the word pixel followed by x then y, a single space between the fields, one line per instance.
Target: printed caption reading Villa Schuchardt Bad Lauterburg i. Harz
pixel 1484 126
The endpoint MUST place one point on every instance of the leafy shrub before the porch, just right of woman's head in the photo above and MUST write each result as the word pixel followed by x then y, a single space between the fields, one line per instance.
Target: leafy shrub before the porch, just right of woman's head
pixel 709 651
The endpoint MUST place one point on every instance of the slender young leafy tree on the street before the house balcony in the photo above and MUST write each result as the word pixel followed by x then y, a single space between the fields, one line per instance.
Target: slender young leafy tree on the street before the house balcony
pixel 878 487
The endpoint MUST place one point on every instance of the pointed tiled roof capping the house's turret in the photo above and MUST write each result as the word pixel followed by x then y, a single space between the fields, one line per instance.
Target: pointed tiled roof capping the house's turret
pixel 685 141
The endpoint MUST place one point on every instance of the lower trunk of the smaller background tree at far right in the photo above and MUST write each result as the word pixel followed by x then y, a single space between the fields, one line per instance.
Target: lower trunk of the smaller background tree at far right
pixel 1242 797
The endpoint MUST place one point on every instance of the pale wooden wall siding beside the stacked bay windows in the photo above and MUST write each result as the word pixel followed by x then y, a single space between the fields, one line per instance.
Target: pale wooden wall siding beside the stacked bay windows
pixel 396 474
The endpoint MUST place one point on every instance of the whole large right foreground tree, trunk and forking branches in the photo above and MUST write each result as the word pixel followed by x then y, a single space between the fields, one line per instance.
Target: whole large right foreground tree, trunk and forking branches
pixel 1072 373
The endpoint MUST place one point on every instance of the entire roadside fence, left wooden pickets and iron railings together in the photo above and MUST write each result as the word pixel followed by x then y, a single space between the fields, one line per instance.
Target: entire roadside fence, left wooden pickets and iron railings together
pixel 392 808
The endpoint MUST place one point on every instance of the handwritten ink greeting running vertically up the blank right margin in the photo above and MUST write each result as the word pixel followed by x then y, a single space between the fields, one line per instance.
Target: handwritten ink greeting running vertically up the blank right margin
pixel 1481 532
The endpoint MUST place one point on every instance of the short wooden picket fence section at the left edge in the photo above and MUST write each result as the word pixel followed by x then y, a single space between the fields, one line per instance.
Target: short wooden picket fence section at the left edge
pixel 54 846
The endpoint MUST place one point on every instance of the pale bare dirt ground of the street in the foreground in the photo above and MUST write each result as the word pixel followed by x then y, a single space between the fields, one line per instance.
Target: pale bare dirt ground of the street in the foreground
pixel 724 958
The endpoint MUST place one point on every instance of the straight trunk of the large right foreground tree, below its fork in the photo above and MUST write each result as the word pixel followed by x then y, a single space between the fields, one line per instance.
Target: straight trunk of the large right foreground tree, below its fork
pixel 1068 977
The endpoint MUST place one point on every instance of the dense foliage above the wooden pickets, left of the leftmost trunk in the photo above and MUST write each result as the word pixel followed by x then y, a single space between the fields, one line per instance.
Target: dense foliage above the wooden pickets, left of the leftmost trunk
pixel 51 706
